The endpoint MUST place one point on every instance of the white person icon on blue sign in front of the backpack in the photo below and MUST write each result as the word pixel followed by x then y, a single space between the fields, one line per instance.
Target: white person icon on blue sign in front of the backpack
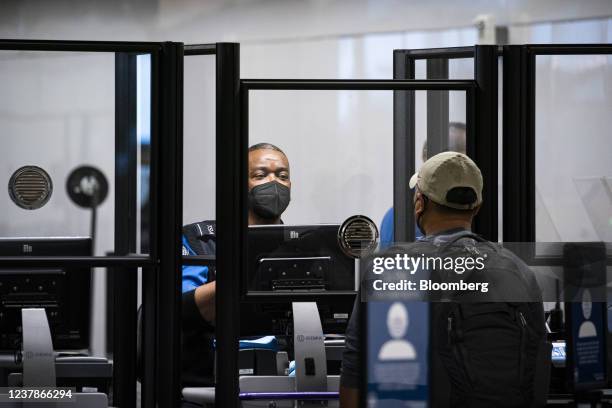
pixel 397 324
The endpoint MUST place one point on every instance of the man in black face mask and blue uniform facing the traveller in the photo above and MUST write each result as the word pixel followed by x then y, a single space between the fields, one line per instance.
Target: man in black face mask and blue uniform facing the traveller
pixel 269 195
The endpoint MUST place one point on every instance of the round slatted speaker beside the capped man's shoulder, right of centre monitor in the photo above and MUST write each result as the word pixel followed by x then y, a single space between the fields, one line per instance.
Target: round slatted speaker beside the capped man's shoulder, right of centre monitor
pixel 358 236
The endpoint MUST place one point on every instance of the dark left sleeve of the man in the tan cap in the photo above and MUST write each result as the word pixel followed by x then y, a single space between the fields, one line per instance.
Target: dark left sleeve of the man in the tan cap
pixel 351 367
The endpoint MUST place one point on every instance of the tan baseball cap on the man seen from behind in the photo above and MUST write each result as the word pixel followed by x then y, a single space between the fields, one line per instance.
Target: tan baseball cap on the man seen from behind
pixel 445 171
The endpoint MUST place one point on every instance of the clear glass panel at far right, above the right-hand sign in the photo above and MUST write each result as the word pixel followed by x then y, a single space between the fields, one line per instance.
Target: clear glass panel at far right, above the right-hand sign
pixel 573 161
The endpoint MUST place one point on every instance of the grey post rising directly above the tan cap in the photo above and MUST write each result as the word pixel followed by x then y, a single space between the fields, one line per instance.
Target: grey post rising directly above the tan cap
pixel 437 109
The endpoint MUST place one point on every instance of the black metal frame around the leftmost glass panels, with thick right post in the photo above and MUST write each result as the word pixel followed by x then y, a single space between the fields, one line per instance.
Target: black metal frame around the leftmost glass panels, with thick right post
pixel 160 284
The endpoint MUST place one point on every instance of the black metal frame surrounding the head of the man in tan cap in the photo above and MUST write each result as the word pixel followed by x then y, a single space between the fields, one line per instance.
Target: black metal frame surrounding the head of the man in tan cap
pixel 482 141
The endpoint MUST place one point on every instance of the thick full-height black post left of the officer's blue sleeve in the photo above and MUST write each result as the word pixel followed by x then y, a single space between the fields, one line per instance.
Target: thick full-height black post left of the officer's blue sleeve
pixel 169 221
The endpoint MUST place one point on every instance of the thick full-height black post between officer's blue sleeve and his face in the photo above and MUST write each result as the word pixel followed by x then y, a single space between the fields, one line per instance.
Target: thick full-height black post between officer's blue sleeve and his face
pixel 232 145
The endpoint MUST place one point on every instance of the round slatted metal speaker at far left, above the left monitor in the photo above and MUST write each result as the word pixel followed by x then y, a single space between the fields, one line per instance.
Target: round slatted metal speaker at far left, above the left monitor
pixel 30 187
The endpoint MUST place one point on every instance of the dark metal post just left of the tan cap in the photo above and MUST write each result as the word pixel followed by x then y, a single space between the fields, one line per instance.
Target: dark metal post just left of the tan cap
pixel 403 150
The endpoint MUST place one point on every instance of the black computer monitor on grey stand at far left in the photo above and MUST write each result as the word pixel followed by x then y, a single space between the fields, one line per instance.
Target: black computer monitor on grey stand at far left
pixel 65 293
